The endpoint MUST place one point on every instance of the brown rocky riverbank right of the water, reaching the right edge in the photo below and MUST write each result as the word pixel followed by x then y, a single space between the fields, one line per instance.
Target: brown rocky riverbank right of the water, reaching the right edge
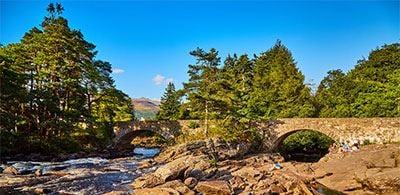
pixel 222 169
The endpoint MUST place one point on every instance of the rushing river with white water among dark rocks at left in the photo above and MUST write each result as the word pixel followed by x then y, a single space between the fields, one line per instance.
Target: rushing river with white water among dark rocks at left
pixel 78 176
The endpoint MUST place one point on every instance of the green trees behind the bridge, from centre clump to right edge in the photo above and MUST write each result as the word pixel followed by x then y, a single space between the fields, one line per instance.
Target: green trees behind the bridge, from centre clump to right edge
pixel 270 86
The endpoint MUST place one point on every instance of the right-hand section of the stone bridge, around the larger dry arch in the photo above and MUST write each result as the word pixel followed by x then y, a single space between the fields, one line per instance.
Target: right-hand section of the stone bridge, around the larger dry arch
pixel 376 130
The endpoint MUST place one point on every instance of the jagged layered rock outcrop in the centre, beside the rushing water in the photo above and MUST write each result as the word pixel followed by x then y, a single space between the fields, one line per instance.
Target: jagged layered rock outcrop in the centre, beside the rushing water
pixel 216 167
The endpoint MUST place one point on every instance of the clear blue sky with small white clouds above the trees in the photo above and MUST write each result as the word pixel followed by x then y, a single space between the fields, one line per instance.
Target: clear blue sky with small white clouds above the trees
pixel 148 42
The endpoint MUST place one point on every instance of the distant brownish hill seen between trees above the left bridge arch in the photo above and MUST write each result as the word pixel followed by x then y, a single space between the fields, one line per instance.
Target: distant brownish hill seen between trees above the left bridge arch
pixel 146 108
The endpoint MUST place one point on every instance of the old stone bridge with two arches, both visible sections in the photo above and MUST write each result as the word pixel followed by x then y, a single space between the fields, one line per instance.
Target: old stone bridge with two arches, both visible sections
pixel 377 130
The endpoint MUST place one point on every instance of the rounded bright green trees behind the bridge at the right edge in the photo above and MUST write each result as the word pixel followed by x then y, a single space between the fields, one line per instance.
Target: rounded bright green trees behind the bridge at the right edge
pixel 371 89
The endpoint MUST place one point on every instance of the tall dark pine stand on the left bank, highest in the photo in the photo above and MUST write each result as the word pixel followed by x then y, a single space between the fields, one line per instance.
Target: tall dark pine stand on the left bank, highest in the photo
pixel 54 92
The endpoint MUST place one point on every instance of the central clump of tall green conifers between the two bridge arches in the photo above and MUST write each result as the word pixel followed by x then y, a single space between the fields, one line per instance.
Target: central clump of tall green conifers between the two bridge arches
pixel 245 89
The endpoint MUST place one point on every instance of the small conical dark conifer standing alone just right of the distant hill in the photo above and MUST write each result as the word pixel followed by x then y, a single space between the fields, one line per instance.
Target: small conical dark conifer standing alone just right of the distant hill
pixel 170 104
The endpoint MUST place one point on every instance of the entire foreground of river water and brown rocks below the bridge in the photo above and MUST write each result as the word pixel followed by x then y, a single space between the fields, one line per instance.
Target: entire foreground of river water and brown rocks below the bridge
pixel 211 167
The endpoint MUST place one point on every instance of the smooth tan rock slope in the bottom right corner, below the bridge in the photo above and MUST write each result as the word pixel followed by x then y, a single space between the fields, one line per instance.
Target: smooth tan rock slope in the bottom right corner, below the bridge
pixel 374 169
